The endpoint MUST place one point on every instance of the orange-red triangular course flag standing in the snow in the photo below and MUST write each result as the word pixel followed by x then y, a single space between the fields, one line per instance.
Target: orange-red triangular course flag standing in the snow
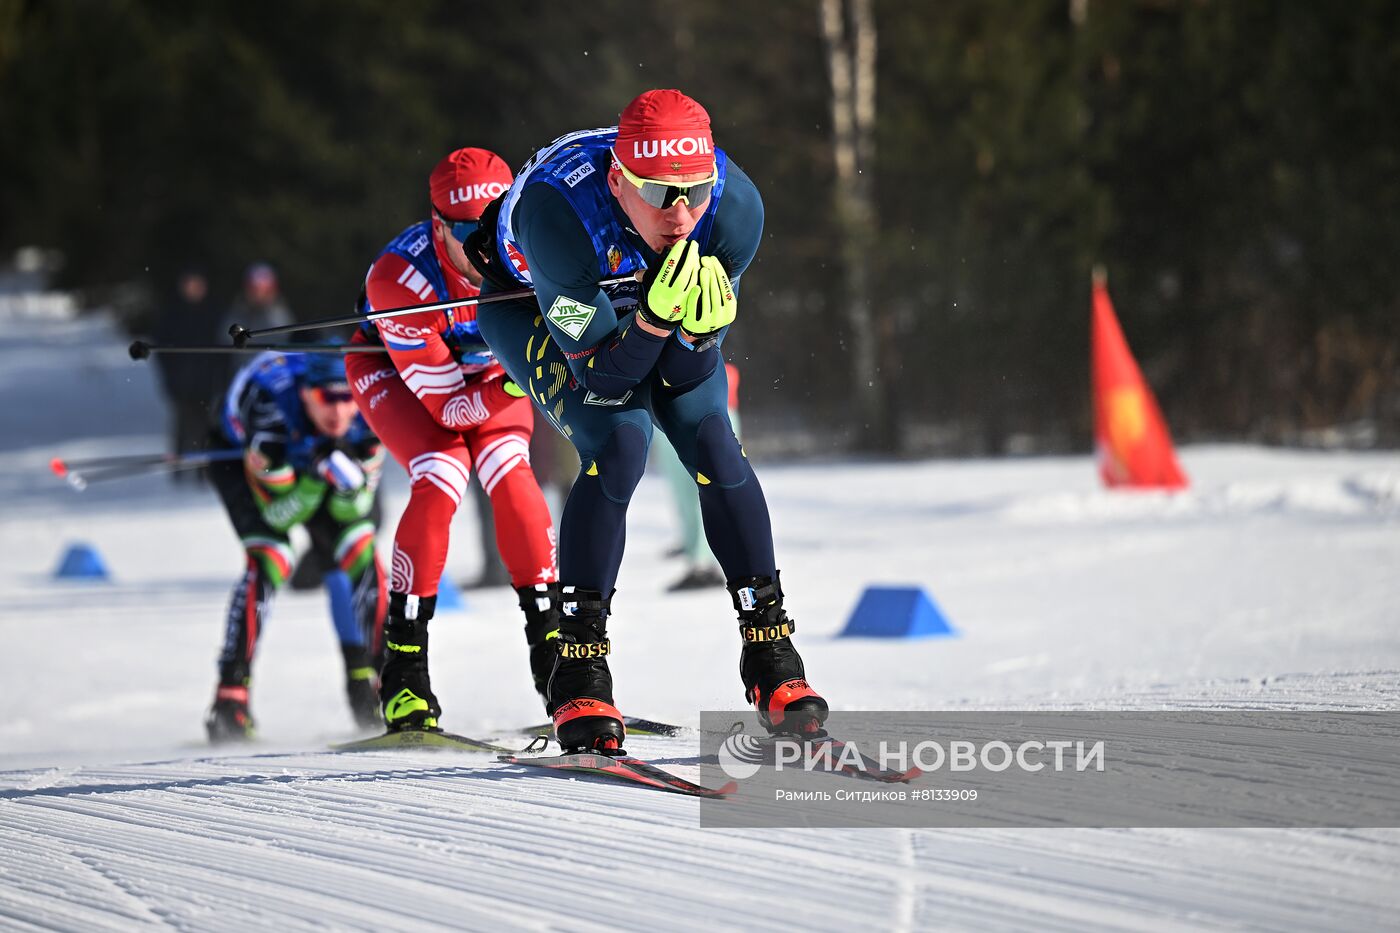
pixel 1130 436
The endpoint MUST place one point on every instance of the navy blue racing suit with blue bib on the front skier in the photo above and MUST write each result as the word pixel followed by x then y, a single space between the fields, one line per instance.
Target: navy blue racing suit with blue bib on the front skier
pixel 605 383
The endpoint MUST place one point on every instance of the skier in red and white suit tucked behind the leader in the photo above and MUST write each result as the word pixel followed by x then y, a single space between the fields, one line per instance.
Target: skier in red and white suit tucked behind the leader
pixel 443 407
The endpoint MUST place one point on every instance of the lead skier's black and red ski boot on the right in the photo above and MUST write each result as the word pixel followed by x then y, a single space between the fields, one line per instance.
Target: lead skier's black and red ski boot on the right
pixel 769 666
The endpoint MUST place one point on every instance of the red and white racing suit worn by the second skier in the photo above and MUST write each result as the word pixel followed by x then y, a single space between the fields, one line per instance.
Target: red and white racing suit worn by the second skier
pixel 440 418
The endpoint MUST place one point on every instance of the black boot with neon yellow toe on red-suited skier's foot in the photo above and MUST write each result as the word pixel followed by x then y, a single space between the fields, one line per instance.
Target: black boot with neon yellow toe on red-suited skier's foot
pixel 404 683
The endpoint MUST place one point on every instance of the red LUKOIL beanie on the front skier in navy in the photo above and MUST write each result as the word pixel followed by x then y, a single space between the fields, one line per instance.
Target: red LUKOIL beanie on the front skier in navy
pixel 666 134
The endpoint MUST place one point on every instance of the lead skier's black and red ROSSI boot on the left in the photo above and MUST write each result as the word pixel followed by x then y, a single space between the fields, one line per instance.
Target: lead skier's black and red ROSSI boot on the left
pixel 580 689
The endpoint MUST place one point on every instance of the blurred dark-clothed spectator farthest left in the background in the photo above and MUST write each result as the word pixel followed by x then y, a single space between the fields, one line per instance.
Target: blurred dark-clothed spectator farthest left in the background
pixel 191 385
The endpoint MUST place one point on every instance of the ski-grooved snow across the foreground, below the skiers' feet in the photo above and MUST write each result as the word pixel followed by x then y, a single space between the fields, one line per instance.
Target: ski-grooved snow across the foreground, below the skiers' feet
pixel 395 841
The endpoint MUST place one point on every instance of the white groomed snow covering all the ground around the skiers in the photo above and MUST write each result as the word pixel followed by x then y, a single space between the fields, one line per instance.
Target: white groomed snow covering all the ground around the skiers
pixel 1272 583
